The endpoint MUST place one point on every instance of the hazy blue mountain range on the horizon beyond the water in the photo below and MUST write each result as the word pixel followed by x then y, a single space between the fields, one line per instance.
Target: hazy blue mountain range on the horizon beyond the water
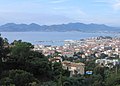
pixel 12 27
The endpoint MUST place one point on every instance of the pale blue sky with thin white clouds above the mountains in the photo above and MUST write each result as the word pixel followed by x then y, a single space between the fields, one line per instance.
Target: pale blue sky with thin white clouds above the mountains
pixel 48 12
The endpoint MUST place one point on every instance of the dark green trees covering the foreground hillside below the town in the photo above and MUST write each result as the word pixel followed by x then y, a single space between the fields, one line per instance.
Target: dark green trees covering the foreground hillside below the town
pixel 25 67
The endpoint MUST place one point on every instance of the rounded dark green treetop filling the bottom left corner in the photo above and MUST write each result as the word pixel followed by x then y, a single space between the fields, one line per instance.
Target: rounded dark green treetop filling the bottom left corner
pixel 17 78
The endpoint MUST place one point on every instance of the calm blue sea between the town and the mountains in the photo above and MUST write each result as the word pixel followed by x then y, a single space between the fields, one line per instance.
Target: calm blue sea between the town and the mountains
pixel 51 38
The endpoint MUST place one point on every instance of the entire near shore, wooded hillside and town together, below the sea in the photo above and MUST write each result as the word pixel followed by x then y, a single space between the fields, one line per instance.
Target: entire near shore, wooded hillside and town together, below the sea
pixel 85 62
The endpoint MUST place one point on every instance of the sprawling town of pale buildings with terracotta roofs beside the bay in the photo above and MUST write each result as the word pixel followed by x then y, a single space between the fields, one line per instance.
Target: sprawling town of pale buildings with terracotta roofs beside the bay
pixel 105 51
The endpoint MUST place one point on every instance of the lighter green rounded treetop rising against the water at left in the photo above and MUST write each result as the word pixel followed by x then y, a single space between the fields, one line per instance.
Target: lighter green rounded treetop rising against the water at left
pixel 21 50
